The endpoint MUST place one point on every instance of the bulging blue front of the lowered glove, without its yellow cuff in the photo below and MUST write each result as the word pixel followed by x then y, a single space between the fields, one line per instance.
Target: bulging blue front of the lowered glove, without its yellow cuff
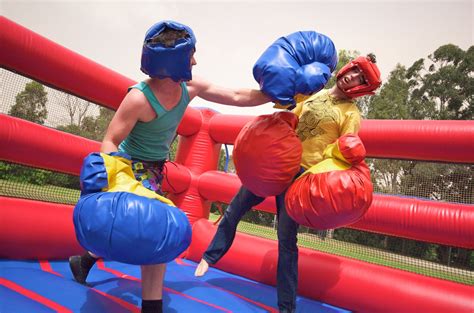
pixel 131 229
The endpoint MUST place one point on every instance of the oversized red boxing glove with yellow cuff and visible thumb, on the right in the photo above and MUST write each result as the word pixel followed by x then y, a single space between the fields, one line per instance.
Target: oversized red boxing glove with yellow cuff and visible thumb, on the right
pixel 335 192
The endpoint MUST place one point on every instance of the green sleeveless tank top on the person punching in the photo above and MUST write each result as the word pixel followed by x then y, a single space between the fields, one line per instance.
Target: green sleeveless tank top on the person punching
pixel 151 141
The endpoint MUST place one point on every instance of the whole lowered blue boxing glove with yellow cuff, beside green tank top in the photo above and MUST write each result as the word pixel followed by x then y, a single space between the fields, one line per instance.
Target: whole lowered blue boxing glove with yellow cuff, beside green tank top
pixel 117 218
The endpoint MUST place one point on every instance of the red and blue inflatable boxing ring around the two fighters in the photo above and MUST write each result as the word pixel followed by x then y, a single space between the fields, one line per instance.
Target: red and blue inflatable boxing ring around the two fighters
pixel 37 237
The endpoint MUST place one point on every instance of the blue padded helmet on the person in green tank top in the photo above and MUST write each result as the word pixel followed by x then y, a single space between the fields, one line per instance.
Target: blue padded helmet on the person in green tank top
pixel 161 61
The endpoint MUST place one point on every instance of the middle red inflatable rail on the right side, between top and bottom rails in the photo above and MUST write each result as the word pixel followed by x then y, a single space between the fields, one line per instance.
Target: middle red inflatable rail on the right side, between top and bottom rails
pixel 433 221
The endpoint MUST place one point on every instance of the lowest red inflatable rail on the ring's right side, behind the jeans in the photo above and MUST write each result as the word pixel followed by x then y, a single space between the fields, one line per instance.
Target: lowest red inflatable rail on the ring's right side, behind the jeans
pixel 340 281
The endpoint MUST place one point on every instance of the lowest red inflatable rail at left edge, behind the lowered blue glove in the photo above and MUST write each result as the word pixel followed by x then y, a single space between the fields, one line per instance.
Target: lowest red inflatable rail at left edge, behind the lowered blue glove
pixel 36 230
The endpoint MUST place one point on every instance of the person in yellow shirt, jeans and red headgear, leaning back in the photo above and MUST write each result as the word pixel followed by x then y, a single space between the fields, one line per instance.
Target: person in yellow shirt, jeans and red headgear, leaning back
pixel 324 117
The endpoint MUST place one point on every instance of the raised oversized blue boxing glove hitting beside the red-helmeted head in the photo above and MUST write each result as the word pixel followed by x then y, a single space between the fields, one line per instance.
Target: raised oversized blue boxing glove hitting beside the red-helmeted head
pixel 300 63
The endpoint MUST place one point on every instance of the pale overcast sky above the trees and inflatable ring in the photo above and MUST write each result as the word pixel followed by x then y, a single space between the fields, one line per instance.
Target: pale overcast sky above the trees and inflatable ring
pixel 231 35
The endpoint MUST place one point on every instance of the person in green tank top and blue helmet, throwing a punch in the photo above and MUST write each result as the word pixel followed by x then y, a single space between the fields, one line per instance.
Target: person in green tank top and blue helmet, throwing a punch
pixel 146 121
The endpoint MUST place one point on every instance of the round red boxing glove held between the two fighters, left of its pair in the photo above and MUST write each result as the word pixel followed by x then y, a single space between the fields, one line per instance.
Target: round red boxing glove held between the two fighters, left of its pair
pixel 267 153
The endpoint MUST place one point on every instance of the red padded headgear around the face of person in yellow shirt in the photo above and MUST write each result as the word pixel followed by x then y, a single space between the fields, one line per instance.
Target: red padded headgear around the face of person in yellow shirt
pixel 371 75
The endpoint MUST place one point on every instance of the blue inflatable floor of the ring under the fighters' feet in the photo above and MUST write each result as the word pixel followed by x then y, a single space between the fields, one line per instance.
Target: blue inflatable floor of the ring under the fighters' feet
pixel 217 291
